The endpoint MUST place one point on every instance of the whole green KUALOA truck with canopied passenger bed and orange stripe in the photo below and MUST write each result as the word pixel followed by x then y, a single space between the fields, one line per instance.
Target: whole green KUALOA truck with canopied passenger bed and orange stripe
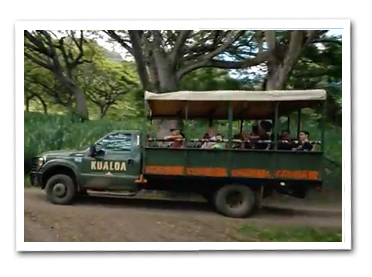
pixel 233 179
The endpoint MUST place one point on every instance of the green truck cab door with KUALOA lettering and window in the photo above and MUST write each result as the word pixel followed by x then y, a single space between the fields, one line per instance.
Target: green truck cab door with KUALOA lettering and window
pixel 118 164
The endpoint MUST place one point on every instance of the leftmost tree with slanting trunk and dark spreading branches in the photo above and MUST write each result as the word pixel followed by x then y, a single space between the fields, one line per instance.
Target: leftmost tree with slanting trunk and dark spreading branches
pixel 61 56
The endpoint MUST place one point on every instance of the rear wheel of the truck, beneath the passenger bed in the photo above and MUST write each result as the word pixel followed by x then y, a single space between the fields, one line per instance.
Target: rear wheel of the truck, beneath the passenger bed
pixel 245 205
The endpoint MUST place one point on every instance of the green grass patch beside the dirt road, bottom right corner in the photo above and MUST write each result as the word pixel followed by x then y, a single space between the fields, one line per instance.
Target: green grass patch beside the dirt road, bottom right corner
pixel 290 234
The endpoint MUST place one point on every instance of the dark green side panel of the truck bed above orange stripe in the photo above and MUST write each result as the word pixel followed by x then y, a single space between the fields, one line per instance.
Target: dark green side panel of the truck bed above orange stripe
pixel 241 159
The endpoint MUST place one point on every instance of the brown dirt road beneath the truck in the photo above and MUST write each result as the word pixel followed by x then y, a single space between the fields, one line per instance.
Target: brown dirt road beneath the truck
pixel 97 218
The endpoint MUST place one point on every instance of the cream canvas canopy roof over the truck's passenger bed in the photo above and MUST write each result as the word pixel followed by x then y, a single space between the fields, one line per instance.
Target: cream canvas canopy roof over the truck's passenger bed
pixel 246 104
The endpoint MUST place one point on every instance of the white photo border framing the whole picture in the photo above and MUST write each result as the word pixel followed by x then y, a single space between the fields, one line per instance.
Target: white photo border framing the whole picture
pixel 320 24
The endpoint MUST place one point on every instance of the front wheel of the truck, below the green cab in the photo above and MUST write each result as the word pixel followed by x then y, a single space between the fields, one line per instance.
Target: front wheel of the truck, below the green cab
pixel 60 189
